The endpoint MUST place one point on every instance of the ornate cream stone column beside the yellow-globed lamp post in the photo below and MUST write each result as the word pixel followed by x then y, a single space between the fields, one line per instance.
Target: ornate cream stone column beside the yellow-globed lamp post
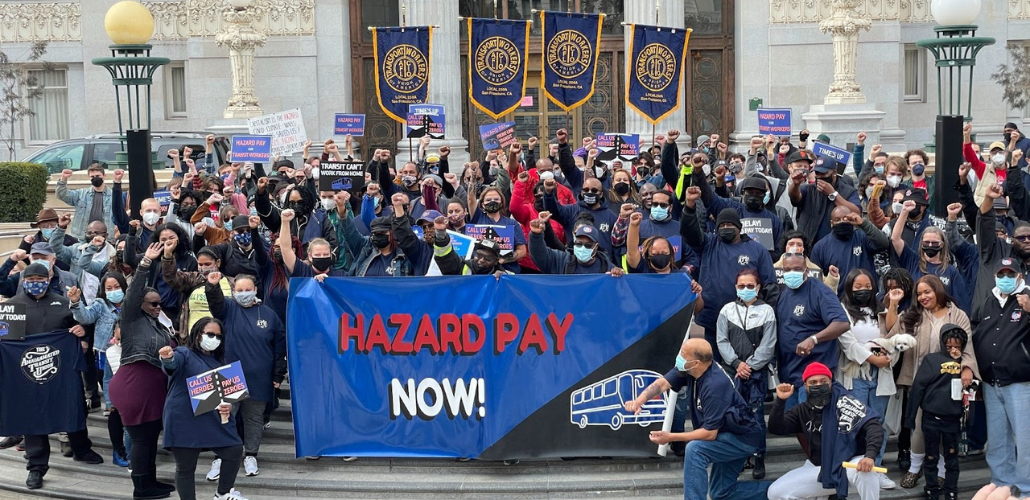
pixel 242 39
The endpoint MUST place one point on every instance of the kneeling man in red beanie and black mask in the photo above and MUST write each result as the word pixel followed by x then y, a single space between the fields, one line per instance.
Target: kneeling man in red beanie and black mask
pixel 857 439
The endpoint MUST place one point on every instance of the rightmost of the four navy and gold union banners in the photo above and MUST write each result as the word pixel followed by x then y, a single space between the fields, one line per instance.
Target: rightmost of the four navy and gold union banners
pixel 657 59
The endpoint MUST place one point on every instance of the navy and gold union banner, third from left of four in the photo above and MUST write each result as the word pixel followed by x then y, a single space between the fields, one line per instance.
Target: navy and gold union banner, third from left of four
pixel 572 45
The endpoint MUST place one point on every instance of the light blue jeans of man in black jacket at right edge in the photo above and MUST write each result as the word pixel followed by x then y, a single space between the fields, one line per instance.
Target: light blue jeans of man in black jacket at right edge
pixel 1009 430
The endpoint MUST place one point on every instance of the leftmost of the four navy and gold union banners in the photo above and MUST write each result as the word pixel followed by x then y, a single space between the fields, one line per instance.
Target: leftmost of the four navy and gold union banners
pixel 402 60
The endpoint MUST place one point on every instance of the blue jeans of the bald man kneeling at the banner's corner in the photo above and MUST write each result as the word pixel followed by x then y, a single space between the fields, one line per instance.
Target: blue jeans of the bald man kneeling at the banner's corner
pixel 727 455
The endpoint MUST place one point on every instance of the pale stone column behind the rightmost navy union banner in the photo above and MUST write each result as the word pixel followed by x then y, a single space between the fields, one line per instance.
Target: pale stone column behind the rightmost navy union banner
pixel 671 14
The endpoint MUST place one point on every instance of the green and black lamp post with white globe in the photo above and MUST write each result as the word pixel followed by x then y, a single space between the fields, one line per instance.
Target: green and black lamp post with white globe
pixel 955 51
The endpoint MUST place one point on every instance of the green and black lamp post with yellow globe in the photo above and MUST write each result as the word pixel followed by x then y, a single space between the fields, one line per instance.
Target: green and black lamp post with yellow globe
pixel 130 26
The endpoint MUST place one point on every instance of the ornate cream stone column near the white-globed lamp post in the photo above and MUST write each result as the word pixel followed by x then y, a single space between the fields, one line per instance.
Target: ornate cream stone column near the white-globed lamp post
pixel 845 25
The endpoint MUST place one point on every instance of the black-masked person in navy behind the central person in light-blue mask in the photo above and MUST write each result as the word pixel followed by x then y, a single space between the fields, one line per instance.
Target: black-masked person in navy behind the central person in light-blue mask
pixel 593 201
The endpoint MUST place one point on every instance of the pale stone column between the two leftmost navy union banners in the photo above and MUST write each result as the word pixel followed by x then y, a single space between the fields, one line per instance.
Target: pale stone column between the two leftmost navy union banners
pixel 445 75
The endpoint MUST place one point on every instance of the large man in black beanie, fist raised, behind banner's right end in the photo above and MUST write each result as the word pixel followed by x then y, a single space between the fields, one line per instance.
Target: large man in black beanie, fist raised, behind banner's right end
pixel 723 257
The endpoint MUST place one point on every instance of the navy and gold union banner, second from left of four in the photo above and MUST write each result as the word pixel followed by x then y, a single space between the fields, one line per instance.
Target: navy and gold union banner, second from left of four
pixel 498 51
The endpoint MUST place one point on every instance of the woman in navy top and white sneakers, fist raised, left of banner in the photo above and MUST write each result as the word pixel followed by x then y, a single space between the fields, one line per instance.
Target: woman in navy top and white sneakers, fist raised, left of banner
pixel 257 339
